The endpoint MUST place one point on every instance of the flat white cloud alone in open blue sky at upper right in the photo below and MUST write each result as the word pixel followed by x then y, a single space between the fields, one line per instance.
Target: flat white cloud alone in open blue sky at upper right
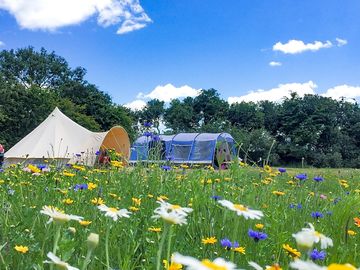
pixel 298 46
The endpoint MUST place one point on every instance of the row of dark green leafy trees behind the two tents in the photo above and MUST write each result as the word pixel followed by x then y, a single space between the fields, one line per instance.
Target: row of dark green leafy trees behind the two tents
pixel 316 130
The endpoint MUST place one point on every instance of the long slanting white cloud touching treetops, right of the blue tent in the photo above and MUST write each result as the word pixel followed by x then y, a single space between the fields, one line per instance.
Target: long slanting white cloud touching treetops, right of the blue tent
pixel 278 93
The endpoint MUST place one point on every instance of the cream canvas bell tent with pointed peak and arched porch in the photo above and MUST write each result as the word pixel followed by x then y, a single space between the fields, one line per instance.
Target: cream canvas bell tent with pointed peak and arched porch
pixel 58 137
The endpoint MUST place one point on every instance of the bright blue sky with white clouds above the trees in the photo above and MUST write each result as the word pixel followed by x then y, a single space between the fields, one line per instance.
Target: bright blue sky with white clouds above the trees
pixel 221 44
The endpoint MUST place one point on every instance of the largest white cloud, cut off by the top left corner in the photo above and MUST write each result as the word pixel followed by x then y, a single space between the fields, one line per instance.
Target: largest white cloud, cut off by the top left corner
pixel 51 15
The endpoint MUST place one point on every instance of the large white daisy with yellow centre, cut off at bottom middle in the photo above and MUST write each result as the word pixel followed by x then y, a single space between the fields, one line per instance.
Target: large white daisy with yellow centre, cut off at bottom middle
pixel 194 264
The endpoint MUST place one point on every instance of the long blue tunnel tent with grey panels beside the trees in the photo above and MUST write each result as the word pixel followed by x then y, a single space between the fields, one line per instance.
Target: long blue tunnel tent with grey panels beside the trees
pixel 203 148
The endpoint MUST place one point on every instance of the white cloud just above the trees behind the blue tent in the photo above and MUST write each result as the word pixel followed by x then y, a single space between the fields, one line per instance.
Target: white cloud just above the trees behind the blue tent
pixel 168 92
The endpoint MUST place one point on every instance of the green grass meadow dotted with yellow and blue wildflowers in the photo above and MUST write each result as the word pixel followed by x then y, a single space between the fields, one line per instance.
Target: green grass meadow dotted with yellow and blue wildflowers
pixel 141 242
